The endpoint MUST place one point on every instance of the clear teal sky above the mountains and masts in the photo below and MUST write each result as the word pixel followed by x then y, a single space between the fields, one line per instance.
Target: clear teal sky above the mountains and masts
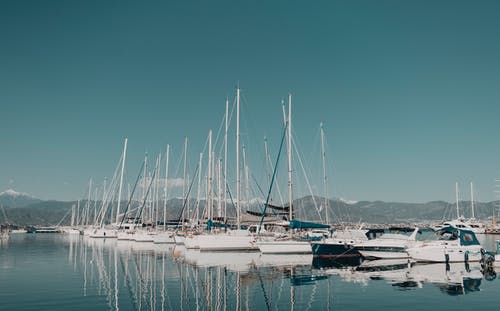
pixel 408 92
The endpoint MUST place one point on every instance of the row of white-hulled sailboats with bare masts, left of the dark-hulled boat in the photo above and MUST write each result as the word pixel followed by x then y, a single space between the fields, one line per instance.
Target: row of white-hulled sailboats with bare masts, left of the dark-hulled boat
pixel 220 235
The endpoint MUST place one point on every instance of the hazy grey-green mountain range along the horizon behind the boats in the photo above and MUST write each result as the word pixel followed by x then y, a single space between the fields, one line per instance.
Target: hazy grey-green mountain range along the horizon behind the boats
pixel 23 209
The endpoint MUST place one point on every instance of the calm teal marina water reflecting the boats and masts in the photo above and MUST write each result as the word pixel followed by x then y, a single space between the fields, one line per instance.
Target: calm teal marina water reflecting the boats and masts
pixel 61 272
